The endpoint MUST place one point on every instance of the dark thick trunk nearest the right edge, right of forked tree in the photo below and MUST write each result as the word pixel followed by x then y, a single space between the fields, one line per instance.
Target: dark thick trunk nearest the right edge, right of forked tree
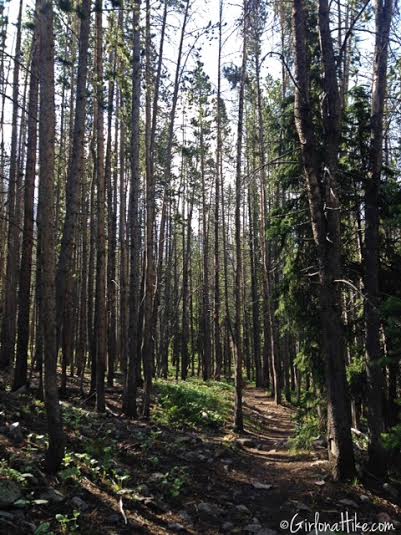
pixel 377 455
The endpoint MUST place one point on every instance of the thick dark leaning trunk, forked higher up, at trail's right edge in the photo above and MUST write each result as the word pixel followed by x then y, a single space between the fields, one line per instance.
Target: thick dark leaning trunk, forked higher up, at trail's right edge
pixel 325 233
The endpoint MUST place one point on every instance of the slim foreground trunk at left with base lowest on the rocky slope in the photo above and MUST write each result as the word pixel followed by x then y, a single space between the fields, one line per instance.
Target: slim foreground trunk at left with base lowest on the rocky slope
pixel 47 124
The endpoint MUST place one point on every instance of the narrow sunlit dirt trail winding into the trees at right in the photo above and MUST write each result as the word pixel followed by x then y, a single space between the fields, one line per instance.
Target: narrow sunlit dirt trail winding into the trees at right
pixel 301 483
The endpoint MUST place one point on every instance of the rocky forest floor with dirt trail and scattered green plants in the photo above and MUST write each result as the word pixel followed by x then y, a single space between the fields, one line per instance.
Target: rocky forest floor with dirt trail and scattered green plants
pixel 135 477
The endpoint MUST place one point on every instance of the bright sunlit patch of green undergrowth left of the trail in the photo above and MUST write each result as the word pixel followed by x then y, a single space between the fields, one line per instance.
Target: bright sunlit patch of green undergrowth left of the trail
pixel 193 405
